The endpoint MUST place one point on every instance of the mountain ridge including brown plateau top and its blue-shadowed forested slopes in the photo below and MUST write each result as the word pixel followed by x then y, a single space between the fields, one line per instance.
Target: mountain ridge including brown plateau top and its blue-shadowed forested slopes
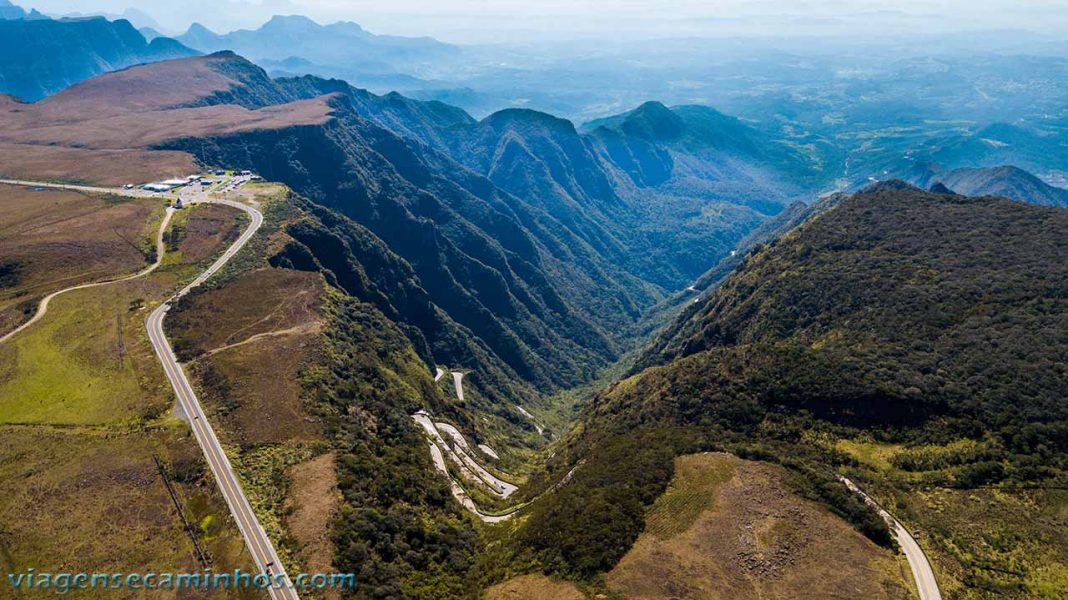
pixel 533 247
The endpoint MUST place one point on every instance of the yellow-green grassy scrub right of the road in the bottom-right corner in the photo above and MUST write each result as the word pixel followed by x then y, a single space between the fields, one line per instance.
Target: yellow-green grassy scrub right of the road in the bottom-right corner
pixel 984 543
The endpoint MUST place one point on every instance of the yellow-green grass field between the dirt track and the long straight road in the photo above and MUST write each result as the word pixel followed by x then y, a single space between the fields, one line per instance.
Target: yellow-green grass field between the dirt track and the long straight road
pixel 84 407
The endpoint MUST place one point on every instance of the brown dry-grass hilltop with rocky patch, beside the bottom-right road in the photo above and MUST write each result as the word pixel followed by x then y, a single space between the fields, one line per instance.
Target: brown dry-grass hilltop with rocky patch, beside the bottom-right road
pixel 755 540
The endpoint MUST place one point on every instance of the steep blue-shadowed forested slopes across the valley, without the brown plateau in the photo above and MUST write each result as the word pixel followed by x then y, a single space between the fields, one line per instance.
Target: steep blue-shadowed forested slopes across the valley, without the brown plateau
pixel 517 227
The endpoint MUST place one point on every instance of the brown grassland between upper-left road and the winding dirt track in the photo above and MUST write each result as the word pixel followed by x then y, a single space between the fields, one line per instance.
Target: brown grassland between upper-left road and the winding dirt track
pixel 60 239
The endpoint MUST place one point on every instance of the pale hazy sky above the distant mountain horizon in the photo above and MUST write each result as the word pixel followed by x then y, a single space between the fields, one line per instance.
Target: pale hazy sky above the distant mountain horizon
pixel 502 21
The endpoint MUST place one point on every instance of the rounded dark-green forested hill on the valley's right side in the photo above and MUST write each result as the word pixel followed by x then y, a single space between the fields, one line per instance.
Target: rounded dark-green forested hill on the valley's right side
pixel 929 327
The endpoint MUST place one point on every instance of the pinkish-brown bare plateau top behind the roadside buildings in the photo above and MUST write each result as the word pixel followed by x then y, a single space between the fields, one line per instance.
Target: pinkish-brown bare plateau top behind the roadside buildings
pixel 132 110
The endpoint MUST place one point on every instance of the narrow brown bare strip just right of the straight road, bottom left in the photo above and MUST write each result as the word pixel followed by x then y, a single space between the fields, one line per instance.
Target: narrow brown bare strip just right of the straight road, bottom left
pixel 312 504
